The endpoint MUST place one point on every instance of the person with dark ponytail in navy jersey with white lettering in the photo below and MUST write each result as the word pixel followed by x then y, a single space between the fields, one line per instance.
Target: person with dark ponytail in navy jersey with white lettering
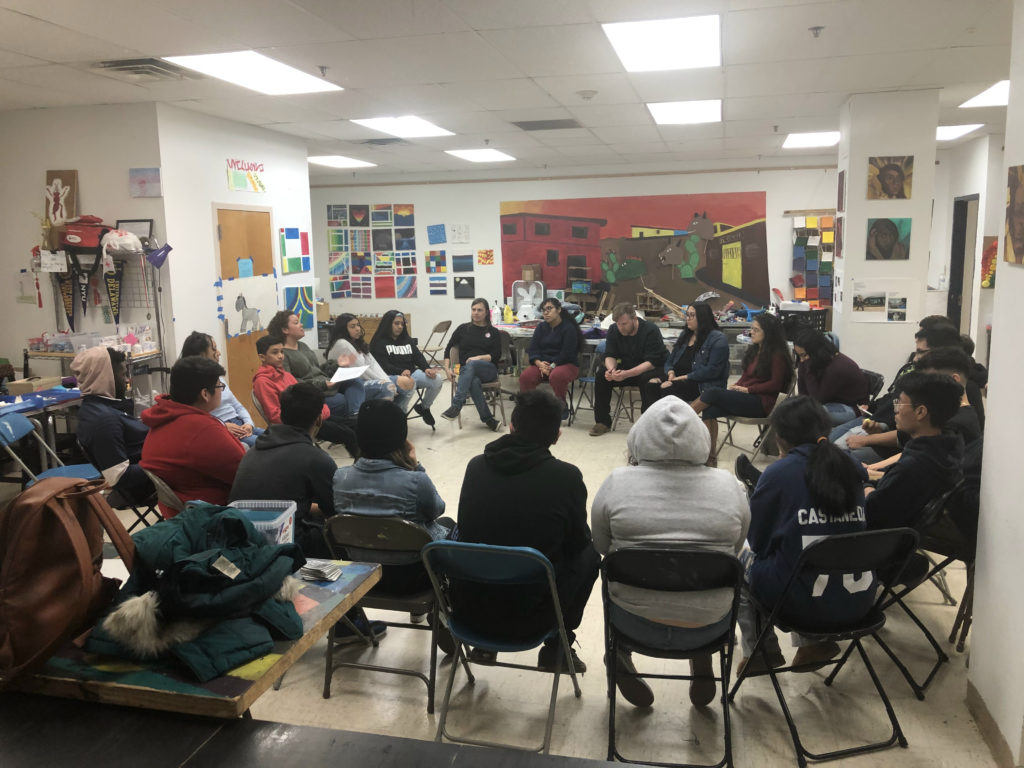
pixel 815 490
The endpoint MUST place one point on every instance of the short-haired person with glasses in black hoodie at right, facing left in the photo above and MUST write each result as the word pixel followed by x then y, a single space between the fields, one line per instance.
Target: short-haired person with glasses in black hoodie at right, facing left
pixel 931 462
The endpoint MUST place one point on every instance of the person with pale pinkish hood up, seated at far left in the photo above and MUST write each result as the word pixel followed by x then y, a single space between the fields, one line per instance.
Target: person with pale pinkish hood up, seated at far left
pixel 108 429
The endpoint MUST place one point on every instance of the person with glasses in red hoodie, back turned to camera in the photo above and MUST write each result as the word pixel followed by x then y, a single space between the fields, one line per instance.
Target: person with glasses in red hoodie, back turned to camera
pixel 188 448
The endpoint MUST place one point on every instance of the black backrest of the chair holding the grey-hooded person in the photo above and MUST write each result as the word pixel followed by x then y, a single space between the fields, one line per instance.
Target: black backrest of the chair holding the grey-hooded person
pixel 678 569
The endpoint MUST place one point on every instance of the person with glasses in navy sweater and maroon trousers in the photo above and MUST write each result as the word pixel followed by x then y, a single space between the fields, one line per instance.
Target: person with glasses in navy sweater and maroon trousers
pixel 554 353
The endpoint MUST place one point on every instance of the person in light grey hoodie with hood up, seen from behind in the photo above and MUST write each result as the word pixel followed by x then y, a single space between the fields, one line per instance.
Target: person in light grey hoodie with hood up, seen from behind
pixel 668 496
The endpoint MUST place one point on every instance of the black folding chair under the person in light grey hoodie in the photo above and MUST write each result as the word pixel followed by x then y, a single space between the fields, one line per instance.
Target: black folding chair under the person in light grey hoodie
pixel 675 570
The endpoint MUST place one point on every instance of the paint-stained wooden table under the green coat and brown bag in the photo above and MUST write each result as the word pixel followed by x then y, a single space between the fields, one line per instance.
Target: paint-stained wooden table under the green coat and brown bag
pixel 75 674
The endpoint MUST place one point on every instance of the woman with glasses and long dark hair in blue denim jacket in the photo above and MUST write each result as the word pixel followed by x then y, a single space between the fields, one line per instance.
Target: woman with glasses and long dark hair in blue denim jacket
pixel 699 360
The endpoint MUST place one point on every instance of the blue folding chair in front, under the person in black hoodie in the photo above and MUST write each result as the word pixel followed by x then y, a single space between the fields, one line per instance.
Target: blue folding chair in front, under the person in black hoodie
pixel 483 564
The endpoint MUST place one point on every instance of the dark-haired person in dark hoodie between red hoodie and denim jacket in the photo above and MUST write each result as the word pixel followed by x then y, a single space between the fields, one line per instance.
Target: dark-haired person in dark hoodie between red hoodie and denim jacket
pixel 287 464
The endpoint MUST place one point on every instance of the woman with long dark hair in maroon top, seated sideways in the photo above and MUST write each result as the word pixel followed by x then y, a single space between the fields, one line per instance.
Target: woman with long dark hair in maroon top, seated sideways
pixel 767 371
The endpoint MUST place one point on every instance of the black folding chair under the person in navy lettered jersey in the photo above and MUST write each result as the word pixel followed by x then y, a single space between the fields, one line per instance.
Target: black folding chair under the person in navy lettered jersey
pixel 883 552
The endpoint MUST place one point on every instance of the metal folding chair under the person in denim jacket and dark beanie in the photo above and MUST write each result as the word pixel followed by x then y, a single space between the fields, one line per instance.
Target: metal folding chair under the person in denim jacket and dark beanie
pixel 396 544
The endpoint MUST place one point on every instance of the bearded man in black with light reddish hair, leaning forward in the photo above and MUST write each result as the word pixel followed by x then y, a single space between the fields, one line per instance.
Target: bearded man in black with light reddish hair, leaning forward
pixel 634 355
